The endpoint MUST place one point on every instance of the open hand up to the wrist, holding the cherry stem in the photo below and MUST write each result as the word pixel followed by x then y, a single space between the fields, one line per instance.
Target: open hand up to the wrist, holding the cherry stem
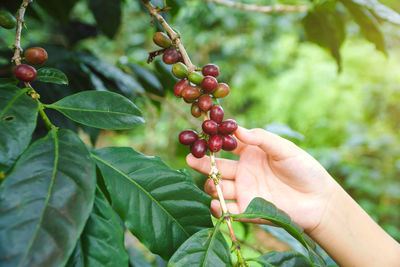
pixel 275 169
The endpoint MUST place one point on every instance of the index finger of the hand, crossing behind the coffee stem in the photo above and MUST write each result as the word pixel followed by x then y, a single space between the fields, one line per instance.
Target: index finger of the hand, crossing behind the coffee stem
pixel 225 166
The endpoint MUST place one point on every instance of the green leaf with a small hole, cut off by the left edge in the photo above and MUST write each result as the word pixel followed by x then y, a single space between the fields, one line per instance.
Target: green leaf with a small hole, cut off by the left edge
pixel 18 115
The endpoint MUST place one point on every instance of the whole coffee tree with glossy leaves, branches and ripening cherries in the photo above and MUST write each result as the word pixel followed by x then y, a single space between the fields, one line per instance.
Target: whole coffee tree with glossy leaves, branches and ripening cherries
pixel 63 203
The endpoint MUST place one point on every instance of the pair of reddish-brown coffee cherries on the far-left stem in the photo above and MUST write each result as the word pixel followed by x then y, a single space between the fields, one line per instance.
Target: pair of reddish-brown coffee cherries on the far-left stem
pixel 34 56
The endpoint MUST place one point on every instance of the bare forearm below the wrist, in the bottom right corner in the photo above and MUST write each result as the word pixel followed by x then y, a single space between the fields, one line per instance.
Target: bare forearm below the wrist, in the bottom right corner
pixel 352 238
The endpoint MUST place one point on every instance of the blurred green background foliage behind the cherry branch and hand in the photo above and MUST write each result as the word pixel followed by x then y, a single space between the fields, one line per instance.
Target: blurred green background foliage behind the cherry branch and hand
pixel 348 120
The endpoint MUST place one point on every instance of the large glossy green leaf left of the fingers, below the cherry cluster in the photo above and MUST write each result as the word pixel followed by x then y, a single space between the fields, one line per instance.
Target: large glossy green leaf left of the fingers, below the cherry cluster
pixel 162 207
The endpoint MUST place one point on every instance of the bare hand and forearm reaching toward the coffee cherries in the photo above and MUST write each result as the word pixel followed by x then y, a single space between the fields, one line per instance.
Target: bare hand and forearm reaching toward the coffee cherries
pixel 277 170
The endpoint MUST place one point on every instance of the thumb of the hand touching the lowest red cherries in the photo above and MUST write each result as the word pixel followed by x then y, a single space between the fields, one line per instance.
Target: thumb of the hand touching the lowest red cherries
pixel 274 145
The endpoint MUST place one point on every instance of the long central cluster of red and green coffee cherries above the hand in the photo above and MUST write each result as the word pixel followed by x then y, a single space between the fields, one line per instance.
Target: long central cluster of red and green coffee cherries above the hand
pixel 201 89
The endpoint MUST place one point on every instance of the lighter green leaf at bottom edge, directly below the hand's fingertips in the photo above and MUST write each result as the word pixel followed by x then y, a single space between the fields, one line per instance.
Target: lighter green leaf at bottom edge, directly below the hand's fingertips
pixel 206 248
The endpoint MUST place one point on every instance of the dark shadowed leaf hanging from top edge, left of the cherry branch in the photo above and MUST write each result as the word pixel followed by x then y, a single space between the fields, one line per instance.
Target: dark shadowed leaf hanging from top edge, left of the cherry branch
pixel 107 14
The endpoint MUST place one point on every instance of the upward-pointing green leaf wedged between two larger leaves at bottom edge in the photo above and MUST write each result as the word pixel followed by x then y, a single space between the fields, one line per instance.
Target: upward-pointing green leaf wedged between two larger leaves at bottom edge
pixel 102 240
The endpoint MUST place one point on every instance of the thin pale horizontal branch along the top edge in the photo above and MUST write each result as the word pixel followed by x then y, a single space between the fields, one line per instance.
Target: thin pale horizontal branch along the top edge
pixel 259 8
